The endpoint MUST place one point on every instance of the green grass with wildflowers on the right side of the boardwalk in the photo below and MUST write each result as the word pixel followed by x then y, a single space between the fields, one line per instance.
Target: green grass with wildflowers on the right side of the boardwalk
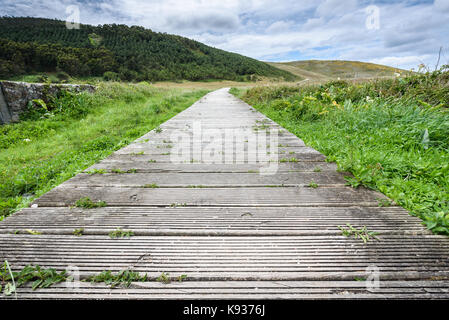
pixel 393 136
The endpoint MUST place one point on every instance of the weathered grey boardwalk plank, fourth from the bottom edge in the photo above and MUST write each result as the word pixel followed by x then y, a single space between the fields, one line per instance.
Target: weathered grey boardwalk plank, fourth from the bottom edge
pixel 295 196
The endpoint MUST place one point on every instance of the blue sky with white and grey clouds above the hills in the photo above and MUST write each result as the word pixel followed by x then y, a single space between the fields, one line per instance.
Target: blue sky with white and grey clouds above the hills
pixel 400 34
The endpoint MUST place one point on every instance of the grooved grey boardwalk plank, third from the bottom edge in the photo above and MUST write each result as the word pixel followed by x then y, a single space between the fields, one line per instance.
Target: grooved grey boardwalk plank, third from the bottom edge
pixel 214 221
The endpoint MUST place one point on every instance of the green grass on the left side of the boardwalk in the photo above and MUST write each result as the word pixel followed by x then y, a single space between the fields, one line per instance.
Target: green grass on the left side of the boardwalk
pixel 77 131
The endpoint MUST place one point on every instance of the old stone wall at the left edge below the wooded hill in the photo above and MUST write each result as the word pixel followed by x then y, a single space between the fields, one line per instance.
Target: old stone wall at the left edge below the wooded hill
pixel 14 96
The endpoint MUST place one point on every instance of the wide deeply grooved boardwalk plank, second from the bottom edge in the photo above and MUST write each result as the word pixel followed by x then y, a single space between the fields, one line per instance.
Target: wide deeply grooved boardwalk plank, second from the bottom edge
pixel 233 257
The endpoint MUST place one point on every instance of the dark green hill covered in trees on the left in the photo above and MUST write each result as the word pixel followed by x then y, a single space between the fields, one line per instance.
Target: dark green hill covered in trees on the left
pixel 29 45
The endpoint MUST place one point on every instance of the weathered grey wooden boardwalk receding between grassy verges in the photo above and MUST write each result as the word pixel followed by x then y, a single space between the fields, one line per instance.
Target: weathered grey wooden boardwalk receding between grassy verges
pixel 235 232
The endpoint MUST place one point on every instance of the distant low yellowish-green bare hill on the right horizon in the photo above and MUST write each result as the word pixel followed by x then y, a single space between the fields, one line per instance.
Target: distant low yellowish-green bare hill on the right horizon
pixel 333 69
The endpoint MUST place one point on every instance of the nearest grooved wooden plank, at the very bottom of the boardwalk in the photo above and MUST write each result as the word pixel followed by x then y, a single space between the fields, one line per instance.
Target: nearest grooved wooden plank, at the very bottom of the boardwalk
pixel 246 290
